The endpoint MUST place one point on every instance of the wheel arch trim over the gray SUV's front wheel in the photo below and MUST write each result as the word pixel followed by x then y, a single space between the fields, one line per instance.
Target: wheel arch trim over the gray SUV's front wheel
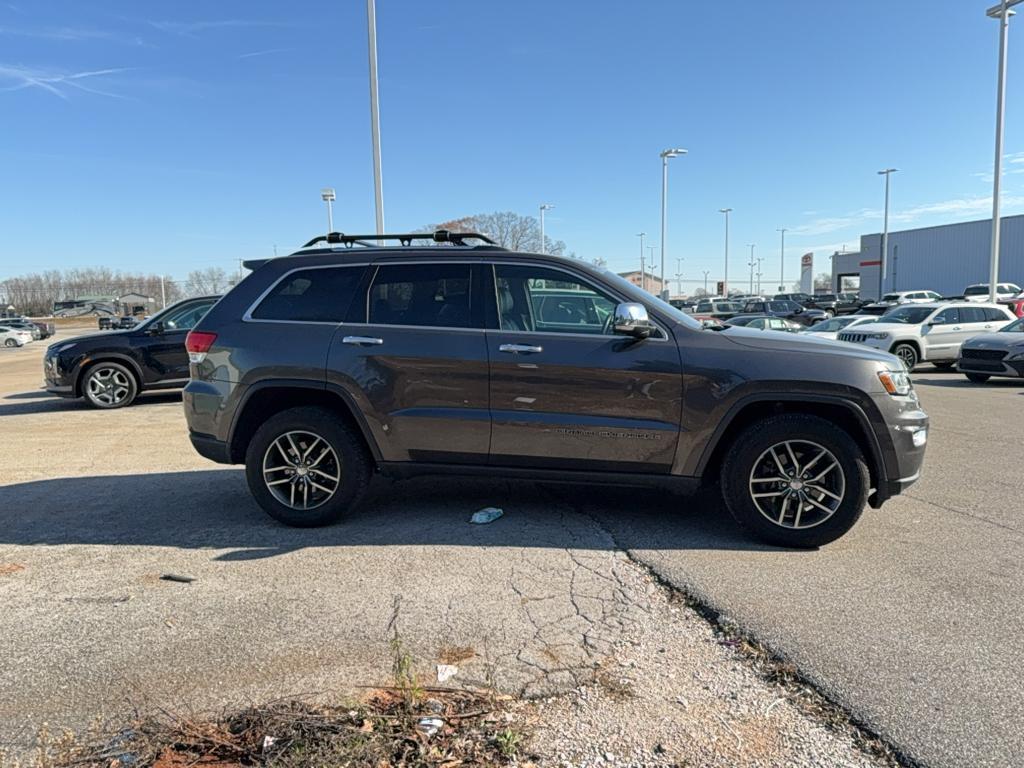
pixel 841 411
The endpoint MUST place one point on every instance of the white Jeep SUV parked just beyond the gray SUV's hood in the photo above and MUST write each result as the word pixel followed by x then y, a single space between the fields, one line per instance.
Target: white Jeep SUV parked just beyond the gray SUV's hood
pixel 930 333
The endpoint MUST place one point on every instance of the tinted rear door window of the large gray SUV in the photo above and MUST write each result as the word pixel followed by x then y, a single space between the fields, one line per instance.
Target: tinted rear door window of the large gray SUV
pixel 436 295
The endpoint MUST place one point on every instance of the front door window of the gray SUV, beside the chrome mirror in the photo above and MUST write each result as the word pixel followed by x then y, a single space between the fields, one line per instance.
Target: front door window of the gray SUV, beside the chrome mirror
pixel 536 298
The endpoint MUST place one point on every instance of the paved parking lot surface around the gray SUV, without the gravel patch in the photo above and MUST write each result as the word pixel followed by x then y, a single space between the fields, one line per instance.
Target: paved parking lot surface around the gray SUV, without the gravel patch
pixel 911 621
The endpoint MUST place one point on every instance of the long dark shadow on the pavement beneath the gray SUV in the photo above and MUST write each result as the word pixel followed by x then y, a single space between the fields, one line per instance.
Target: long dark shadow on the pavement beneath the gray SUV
pixel 212 509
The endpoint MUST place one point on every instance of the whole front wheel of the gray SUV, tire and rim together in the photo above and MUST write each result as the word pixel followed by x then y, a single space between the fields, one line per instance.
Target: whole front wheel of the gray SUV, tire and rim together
pixel 796 481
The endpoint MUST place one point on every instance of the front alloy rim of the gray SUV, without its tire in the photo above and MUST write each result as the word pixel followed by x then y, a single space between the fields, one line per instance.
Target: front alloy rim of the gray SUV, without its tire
pixel 797 485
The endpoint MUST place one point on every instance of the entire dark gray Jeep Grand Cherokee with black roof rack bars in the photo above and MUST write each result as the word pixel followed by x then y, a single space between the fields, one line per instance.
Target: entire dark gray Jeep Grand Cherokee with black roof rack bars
pixel 348 359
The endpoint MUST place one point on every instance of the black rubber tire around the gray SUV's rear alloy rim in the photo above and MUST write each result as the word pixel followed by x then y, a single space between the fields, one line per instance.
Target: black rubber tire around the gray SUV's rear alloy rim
pixel 350 459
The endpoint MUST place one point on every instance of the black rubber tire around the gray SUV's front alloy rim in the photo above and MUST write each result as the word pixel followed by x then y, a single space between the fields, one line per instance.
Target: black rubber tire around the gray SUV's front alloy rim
pixel 747 454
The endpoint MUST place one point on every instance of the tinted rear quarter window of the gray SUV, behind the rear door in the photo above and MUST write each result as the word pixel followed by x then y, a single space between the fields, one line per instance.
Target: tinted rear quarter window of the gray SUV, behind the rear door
pixel 312 295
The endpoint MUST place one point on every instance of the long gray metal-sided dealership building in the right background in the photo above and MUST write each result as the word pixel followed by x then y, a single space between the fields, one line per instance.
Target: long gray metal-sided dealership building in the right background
pixel 946 260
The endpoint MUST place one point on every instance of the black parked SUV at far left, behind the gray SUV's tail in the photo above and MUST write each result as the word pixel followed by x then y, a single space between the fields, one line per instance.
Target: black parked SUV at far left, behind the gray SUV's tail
pixel 110 370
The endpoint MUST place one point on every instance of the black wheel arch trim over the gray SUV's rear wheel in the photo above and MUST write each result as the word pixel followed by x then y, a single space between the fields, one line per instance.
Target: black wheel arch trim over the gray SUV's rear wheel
pixel 267 399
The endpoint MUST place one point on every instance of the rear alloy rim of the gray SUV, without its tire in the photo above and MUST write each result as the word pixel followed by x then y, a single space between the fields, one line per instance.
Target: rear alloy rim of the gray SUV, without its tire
pixel 302 471
